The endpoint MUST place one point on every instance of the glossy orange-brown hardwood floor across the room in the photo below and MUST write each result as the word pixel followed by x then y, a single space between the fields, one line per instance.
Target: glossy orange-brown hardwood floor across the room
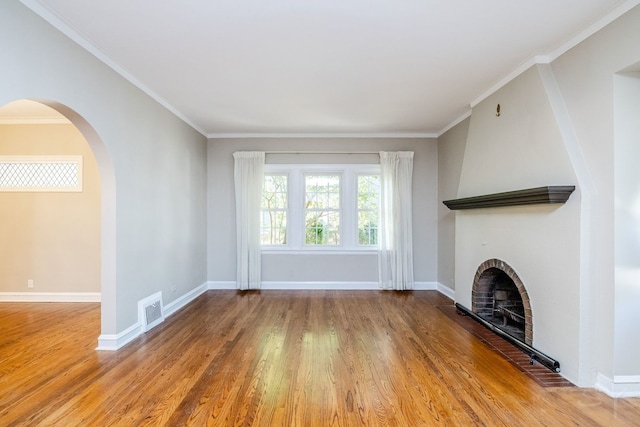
pixel 277 358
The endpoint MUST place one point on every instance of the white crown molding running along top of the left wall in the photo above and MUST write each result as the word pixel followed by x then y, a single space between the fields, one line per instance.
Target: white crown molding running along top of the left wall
pixel 53 19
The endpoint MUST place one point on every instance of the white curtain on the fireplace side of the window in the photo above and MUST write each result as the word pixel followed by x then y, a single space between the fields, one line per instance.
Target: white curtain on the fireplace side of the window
pixel 395 256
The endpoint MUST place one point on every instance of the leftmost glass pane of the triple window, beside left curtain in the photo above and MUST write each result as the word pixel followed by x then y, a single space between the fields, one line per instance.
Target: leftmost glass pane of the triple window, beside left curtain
pixel 273 219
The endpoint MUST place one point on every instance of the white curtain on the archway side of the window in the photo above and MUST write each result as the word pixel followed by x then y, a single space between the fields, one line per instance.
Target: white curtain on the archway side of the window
pixel 248 176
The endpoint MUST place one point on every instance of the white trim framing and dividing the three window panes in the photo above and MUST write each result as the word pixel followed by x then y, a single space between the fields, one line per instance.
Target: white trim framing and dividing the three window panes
pixel 348 212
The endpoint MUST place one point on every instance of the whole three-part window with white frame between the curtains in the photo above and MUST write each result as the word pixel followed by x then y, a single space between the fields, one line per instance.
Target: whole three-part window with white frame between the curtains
pixel 320 207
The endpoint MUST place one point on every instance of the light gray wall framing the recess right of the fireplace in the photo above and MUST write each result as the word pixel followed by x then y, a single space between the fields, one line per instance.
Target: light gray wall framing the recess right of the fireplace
pixel 585 76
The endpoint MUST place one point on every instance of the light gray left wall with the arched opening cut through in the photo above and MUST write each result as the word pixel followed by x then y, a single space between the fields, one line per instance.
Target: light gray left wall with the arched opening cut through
pixel 152 165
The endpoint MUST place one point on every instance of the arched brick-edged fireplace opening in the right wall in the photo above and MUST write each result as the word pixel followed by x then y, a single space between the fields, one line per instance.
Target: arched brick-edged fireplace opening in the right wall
pixel 499 296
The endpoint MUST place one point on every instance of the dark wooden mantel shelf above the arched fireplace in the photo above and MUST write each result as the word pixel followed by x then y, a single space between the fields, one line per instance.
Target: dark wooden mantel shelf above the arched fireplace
pixel 530 196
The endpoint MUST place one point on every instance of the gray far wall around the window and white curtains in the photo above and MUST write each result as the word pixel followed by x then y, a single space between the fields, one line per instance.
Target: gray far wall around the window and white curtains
pixel 316 267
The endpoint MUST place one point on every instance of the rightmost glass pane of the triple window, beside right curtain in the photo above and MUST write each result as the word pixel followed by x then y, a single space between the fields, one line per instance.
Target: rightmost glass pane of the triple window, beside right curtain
pixel 368 204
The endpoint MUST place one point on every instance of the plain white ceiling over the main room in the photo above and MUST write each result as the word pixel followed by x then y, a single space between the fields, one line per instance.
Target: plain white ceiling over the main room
pixel 360 67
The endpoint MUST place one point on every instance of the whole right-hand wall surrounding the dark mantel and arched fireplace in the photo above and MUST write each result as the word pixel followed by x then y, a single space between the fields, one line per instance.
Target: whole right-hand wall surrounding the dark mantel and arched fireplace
pixel 557 127
